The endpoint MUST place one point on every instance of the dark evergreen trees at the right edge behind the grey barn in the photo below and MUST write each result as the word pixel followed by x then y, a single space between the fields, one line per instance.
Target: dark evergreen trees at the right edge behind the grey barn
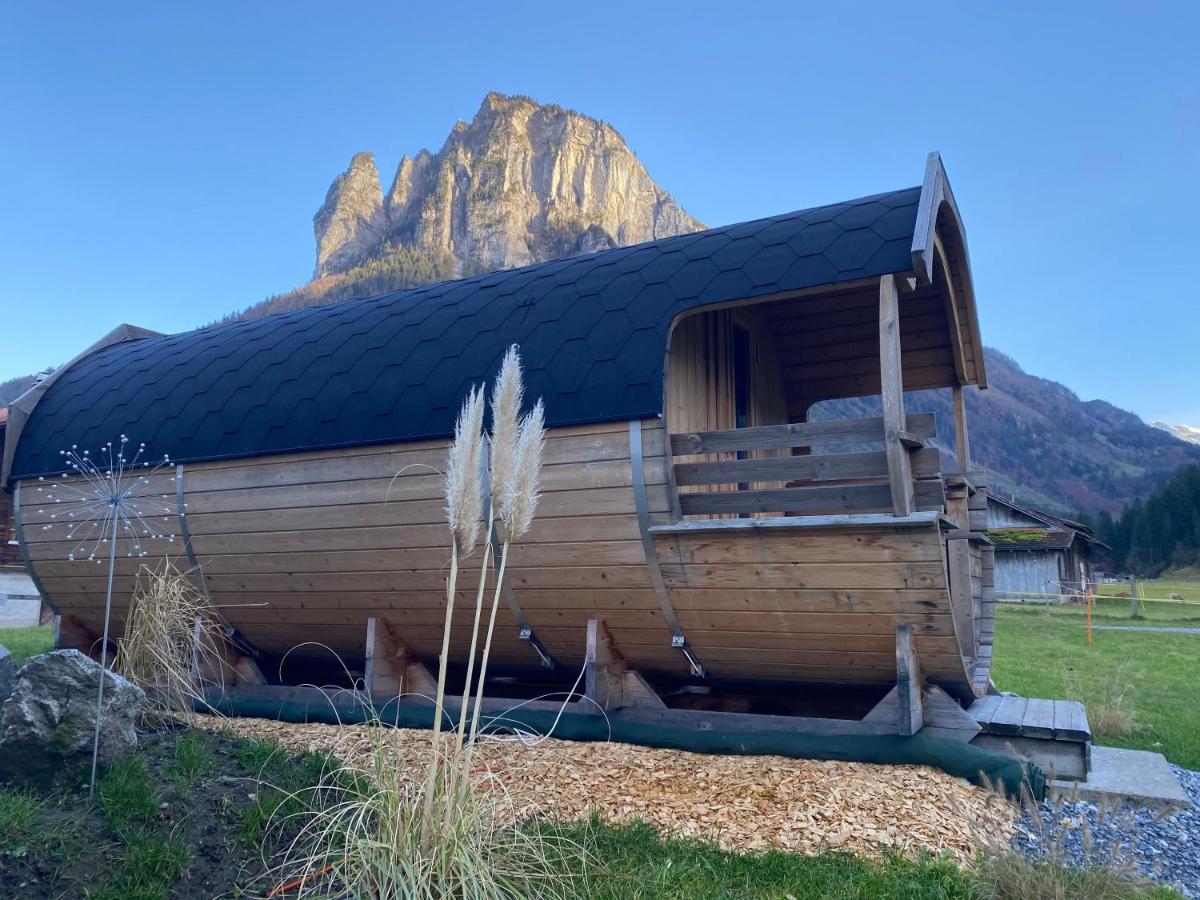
pixel 1160 533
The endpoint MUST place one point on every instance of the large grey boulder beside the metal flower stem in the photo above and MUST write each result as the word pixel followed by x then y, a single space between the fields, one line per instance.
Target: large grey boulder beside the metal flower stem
pixel 50 718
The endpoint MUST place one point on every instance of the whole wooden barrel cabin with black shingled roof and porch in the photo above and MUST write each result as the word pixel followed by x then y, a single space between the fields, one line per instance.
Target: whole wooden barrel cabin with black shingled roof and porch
pixel 691 502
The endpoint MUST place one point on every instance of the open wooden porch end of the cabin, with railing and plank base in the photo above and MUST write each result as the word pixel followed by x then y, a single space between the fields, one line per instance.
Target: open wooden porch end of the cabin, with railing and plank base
pixel 839 533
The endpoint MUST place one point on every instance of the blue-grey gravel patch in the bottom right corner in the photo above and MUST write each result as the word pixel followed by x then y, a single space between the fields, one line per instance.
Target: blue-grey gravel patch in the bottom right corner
pixel 1167 850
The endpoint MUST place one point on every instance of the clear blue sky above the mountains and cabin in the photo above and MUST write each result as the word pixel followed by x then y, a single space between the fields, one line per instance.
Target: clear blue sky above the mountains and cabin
pixel 163 163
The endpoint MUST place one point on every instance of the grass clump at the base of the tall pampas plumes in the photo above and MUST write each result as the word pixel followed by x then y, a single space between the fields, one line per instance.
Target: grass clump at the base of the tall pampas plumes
pixel 362 835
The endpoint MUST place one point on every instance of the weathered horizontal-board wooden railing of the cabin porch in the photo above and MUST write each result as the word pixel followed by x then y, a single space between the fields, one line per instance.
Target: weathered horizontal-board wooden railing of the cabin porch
pixel 821 484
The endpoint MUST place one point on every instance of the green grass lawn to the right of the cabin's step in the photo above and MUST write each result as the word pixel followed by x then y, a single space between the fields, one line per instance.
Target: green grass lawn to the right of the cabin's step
pixel 1043 652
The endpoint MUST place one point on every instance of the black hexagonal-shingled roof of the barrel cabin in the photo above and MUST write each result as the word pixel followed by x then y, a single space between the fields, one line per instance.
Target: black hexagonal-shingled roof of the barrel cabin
pixel 592 332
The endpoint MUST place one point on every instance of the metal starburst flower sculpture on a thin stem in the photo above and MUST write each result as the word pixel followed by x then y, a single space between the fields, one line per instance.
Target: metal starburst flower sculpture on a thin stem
pixel 100 502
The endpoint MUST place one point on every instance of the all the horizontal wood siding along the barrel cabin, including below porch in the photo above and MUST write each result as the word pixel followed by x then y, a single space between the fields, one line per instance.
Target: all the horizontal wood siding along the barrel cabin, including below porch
pixel 299 553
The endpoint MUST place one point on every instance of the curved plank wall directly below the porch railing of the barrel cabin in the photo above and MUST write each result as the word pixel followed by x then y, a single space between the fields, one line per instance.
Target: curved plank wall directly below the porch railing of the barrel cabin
pixel 814 605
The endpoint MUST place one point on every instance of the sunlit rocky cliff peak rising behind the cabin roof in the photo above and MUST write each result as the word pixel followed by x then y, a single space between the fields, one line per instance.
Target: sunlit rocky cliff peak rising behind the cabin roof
pixel 523 183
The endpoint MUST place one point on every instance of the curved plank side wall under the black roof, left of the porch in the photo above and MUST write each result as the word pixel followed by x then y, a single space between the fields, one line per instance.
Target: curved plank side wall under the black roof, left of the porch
pixel 307 548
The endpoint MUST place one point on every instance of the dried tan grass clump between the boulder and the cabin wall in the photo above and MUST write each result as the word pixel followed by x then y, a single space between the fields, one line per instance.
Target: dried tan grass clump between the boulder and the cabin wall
pixel 171 637
